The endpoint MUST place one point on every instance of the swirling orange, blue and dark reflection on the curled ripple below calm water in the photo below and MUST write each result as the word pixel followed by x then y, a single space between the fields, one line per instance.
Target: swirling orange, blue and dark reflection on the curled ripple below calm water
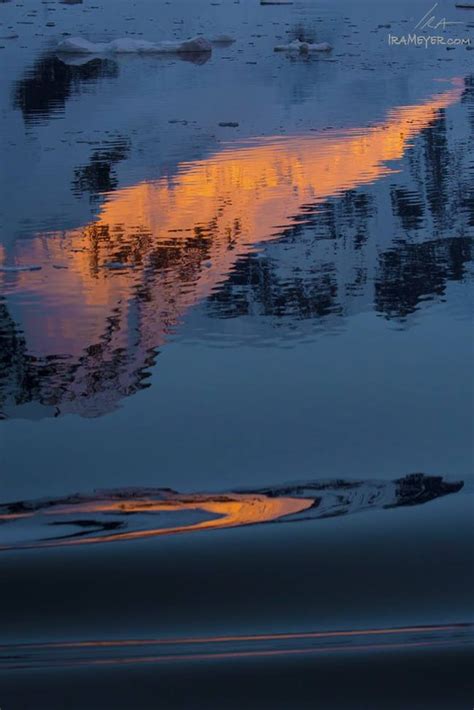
pixel 135 513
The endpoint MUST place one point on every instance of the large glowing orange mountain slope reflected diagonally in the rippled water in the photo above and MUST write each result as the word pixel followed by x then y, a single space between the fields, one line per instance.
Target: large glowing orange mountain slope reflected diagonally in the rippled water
pixel 109 293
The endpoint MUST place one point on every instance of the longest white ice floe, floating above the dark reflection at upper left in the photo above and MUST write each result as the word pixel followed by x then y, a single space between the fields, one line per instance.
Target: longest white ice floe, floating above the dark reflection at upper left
pixel 79 45
